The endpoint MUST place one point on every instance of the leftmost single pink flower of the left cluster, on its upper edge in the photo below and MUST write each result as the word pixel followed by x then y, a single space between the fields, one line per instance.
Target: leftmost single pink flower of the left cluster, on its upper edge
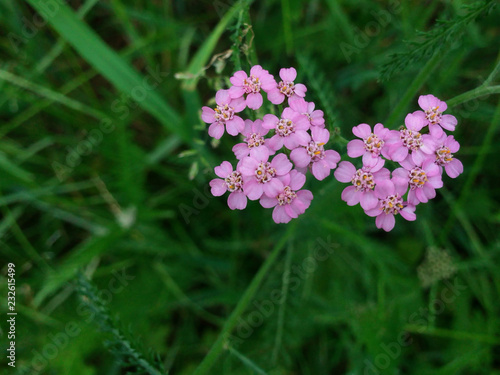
pixel 224 115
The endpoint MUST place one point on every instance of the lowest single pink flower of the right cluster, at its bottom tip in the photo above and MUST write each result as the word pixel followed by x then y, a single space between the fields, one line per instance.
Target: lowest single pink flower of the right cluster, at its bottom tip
pixel 389 194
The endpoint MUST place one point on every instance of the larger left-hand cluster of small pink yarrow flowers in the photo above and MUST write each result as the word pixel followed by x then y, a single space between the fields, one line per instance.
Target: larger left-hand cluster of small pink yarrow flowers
pixel 264 172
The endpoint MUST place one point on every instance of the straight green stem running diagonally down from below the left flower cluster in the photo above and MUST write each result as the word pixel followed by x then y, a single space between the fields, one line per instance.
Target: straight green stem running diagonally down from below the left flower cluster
pixel 242 305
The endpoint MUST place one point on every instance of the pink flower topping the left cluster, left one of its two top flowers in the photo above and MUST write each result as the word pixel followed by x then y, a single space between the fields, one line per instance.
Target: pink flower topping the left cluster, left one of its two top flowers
pixel 243 84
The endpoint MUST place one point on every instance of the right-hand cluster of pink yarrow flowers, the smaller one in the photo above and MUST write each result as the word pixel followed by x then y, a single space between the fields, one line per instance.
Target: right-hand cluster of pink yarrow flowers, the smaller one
pixel 422 159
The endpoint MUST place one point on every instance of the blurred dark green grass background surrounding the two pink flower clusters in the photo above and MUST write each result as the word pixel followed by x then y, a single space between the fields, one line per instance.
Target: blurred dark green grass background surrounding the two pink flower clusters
pixel 105 166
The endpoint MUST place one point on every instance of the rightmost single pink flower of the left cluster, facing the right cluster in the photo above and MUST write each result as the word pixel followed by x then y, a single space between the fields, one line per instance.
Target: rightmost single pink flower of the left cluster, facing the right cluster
pixel 315 156
